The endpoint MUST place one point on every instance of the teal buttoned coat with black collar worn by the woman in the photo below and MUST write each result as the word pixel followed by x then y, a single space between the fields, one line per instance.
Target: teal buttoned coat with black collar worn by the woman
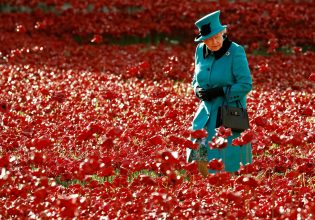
pixel 226 67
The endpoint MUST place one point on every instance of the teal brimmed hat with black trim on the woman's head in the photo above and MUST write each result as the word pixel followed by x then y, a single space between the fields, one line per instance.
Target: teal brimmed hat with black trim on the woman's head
pixel 209 26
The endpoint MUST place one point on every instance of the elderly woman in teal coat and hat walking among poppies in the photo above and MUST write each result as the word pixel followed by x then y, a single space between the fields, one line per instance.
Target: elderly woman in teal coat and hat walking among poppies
pixel 219 64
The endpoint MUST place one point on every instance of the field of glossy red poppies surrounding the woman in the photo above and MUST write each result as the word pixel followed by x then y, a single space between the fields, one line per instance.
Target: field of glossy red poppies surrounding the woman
pixel 96 106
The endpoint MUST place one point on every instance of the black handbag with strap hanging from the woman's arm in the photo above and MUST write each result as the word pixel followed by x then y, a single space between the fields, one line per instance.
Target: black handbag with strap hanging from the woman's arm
pixel 235 118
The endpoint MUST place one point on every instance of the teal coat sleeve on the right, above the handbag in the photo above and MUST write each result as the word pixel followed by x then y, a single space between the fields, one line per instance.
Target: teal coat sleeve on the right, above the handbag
pixel 242 76
